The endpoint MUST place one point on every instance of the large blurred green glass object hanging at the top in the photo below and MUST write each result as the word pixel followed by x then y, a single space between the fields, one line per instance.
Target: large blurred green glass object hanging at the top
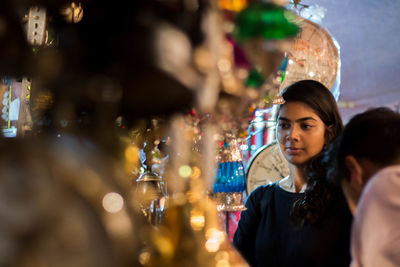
pixel 265 20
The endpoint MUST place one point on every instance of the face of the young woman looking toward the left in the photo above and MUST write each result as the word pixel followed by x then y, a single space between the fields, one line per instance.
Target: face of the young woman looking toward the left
pixel 300 132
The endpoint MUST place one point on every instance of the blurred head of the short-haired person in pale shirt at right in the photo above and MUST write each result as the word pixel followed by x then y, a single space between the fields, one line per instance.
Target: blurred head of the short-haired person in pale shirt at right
pixel 370 141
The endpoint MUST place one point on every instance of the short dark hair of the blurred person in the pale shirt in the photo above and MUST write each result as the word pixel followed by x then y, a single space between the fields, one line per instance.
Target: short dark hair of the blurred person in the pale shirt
pixel 373 135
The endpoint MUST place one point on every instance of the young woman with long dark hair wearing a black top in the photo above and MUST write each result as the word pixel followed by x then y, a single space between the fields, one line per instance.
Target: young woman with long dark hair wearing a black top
pixel 301 220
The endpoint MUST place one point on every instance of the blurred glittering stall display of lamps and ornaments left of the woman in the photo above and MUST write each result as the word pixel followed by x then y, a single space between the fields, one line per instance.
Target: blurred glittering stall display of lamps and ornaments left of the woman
pixel 142 109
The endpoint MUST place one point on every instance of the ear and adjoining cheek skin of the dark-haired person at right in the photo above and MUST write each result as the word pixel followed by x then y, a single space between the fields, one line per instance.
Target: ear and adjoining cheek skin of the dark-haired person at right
pixel 353 186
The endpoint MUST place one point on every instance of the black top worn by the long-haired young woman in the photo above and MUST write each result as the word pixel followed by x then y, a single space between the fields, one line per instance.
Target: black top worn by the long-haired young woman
pixel 266 235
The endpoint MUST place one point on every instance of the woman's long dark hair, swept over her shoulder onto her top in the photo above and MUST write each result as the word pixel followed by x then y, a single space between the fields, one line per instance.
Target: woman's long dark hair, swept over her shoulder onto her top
pixel 312 205
